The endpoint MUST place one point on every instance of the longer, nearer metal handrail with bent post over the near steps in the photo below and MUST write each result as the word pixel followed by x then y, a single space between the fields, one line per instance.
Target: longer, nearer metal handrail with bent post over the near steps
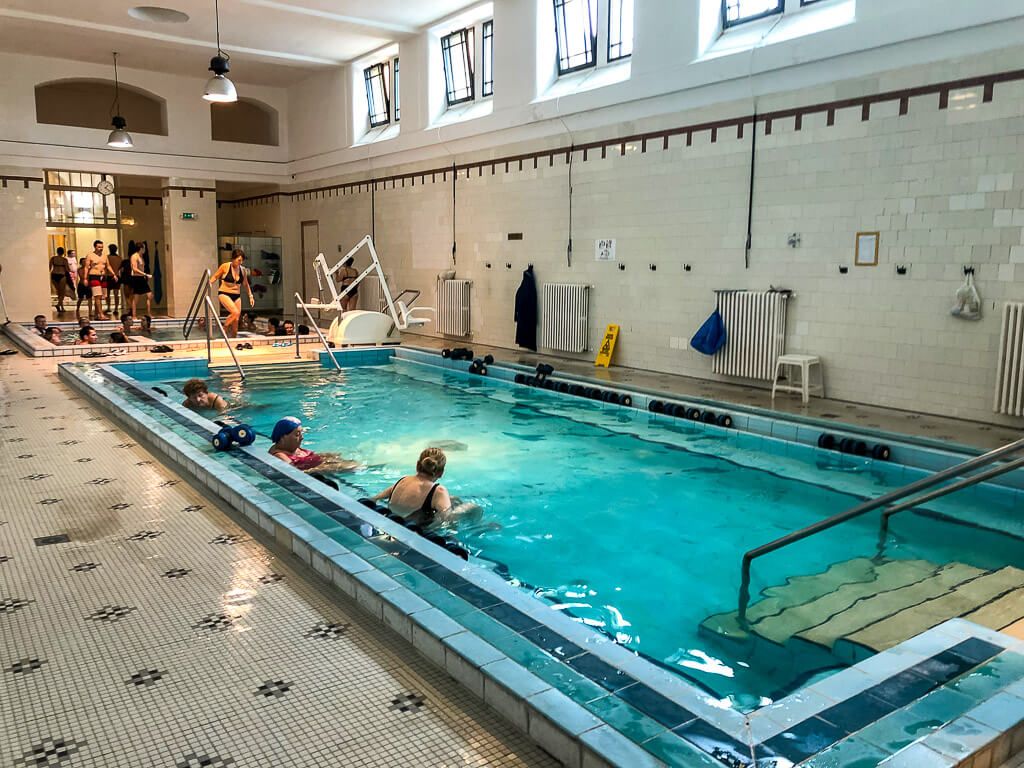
pixel 866 507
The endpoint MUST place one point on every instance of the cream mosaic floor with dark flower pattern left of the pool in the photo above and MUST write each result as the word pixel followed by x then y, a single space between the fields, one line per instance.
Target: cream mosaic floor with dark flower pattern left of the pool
pixel 160 633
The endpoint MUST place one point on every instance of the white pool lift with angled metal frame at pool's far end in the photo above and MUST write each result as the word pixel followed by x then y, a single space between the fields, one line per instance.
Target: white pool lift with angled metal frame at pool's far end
pixel 364 326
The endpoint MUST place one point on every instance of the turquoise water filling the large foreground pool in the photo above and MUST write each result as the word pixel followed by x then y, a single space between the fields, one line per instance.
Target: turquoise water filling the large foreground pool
pixel 633 526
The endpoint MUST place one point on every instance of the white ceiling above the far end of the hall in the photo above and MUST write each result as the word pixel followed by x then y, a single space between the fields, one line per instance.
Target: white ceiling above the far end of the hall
pixel 271 42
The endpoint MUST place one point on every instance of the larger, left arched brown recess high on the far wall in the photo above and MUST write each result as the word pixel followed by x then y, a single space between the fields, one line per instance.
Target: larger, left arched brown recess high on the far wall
pixel 87 104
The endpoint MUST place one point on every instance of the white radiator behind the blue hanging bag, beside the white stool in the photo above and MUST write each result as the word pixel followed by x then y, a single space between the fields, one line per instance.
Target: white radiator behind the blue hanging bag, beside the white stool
pixel 755 328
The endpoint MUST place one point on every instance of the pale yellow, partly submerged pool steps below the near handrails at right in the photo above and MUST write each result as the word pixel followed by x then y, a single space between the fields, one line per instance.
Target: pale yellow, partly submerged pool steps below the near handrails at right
pixel 860 608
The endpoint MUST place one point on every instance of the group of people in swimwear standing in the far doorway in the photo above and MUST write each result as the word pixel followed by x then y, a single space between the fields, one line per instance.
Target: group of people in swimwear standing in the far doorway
pixel 101 278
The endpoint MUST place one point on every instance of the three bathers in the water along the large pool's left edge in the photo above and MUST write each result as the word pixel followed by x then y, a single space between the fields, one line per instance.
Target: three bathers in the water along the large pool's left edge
pixel 418 499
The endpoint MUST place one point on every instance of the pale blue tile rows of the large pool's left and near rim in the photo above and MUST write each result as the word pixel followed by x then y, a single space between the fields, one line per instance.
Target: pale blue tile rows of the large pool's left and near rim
pixel 399 609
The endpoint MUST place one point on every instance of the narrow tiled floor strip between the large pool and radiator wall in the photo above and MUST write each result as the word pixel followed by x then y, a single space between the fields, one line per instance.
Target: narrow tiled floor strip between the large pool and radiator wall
pixel 922 425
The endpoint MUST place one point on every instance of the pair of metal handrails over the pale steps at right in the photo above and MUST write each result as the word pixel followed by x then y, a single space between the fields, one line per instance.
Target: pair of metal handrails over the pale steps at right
pixel 986 460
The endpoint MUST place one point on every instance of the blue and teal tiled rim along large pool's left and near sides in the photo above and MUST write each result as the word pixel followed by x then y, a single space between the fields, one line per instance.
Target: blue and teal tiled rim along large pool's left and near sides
pixel 636 706
